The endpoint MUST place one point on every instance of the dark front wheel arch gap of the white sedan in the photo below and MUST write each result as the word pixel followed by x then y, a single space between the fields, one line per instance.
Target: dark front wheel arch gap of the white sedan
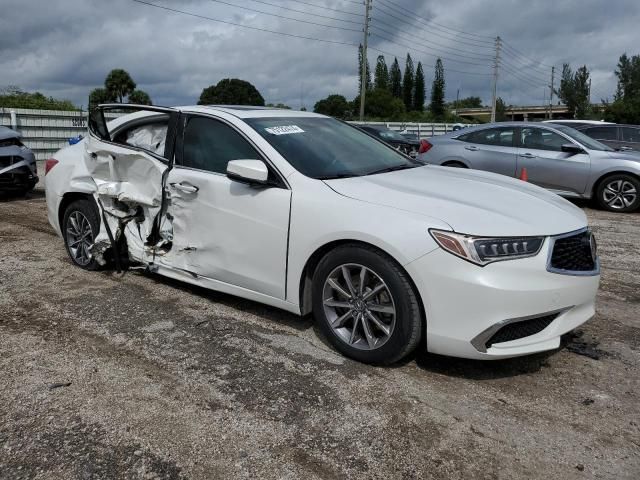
pixel 305 285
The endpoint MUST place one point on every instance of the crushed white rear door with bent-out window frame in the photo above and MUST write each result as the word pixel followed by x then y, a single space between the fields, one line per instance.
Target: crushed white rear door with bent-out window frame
pixel 129 168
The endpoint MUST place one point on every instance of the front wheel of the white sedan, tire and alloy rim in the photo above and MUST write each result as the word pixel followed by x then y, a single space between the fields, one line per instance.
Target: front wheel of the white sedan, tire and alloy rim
pixel 366 305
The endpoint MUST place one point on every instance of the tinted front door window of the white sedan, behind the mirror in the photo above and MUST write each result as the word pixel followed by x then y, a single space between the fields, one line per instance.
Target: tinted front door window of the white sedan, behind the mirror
pixel 210 144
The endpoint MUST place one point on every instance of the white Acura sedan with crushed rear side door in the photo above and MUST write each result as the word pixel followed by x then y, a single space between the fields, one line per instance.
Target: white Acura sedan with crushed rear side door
pixel 308 214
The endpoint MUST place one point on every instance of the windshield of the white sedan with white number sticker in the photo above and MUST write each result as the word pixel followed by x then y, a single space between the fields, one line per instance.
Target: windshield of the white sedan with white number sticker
pixel 325 148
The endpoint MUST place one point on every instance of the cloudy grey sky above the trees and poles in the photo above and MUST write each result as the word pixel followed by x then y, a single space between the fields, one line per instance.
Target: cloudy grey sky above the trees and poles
pixel 64 48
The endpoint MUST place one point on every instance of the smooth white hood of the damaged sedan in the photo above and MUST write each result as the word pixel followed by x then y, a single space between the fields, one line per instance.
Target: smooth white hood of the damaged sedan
pixel 470 201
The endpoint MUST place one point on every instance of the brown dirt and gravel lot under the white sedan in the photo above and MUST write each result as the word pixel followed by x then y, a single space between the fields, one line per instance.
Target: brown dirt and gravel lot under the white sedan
pixel 103 376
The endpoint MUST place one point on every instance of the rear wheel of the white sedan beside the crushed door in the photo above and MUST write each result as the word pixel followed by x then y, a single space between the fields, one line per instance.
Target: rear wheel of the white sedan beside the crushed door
pixel 80 226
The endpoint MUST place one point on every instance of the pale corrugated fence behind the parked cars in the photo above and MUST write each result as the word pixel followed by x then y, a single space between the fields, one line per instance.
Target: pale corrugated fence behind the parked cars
pixel 47 131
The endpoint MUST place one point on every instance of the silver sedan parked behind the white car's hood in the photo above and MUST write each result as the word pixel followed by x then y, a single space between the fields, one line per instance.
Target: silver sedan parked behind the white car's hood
pixel 556 157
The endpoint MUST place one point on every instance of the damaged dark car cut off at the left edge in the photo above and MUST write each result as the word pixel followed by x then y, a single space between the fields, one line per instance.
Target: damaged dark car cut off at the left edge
pixel 18 172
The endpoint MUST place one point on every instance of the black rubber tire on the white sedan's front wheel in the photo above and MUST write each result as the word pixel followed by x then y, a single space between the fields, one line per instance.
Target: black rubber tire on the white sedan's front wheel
pixel 407 329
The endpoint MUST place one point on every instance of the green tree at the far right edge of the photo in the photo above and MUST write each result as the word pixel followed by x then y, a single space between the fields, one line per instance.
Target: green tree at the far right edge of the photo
pixel 626 105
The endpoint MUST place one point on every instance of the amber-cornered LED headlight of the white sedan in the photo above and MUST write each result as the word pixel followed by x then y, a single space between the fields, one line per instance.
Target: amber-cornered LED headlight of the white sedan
pixel 484 250
